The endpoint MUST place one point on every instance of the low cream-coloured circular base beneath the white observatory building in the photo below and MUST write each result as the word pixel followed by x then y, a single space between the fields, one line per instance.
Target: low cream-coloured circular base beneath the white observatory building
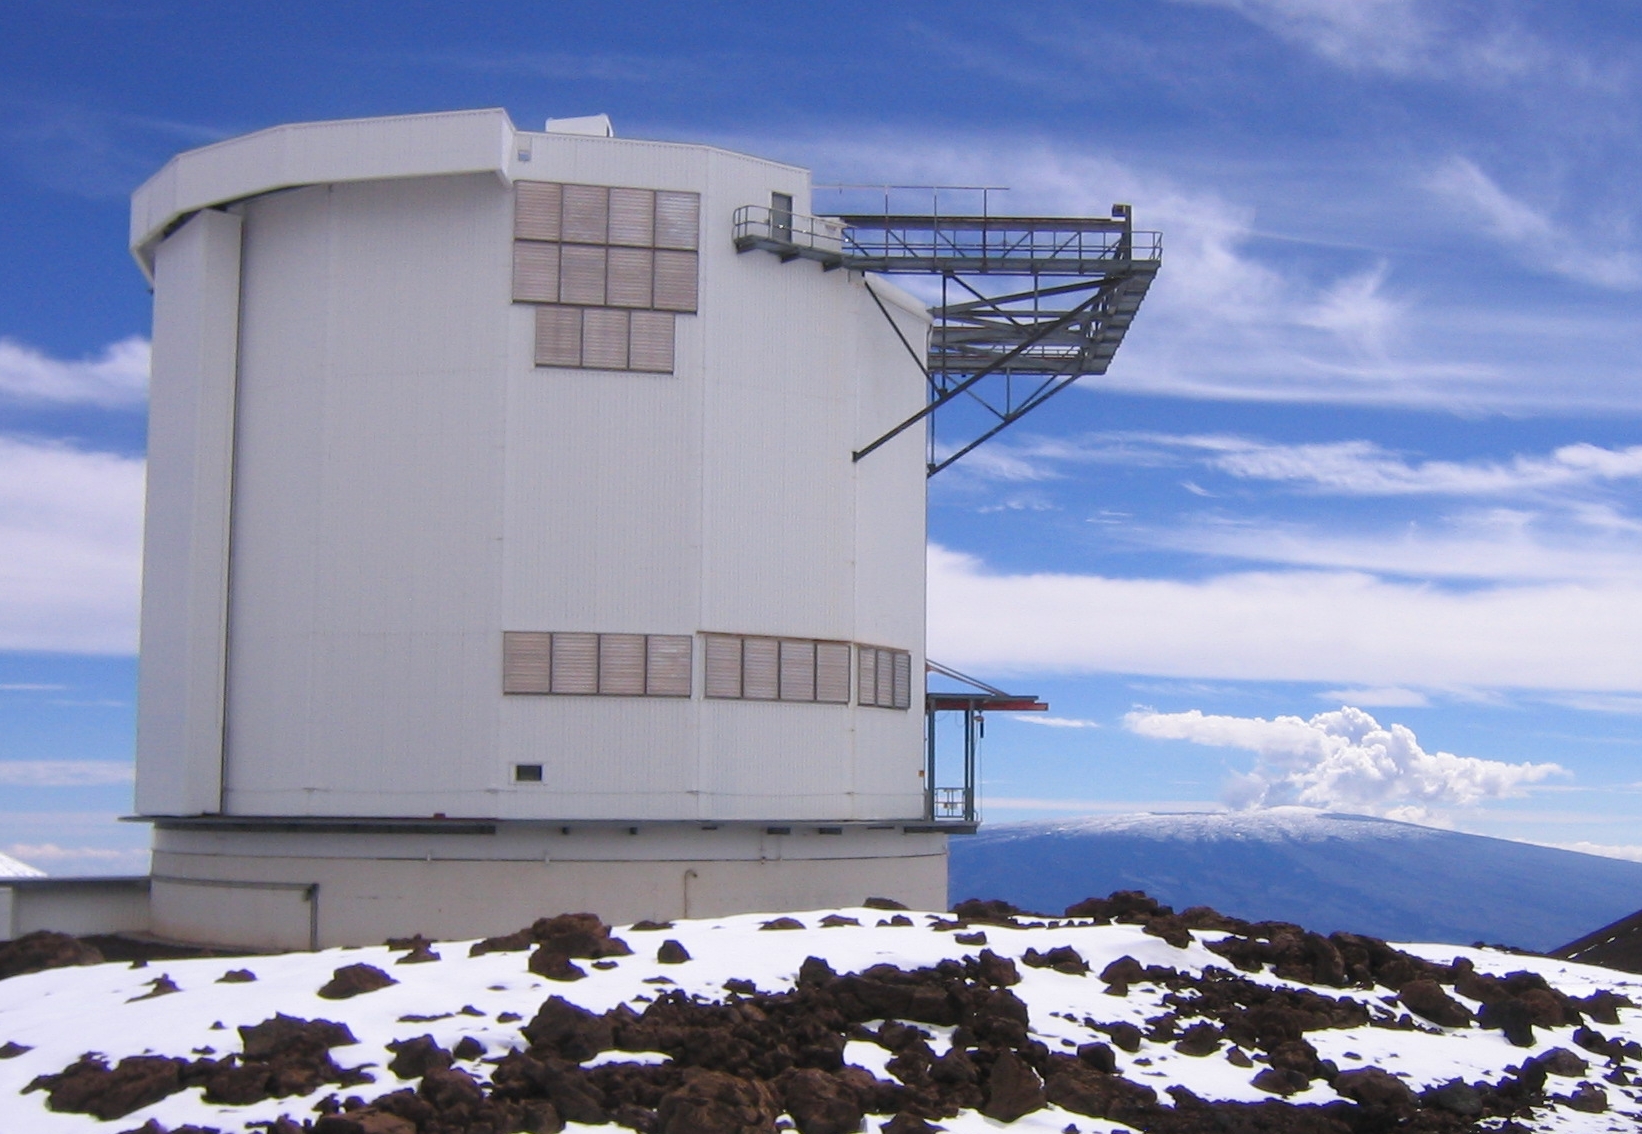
pixel 319 885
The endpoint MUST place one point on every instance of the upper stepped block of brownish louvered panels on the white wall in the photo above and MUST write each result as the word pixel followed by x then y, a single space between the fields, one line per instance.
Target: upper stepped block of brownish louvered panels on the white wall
pixel 607 268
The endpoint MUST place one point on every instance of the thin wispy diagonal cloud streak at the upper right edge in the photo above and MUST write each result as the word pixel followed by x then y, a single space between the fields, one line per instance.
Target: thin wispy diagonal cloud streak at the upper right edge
pixel 1530 234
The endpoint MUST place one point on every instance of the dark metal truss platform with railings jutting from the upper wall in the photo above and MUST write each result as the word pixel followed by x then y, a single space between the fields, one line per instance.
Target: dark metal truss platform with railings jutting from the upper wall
pixel 1029 304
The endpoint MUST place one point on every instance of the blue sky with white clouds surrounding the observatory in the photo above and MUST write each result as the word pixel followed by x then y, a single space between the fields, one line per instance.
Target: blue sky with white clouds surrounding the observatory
pixel 1372 450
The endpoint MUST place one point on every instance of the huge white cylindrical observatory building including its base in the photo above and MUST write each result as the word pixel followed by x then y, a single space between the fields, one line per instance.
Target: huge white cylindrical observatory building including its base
pixel 505 549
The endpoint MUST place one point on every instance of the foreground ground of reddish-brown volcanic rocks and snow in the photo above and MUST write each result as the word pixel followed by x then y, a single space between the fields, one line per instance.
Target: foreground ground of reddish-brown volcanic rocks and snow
pixel 1117 1015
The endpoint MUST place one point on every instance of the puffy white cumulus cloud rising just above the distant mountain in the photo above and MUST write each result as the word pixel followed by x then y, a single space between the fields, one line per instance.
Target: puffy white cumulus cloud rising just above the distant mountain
pixel 1342 761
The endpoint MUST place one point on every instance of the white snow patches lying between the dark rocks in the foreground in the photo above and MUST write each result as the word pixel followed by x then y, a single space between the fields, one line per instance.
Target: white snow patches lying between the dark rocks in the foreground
pixel 68 1012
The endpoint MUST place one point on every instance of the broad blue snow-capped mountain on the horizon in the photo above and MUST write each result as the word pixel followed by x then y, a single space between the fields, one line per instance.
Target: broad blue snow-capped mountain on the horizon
pixel 1323 871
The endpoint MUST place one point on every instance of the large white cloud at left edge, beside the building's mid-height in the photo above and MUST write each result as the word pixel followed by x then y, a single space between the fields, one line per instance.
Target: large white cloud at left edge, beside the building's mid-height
pixel 71 533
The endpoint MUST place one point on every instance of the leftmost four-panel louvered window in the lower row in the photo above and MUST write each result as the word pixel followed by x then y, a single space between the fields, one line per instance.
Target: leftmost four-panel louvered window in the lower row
pixel 621 665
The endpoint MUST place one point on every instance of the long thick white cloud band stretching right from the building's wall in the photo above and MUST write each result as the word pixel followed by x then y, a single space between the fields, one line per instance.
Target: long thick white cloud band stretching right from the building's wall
pixel 1288 626
